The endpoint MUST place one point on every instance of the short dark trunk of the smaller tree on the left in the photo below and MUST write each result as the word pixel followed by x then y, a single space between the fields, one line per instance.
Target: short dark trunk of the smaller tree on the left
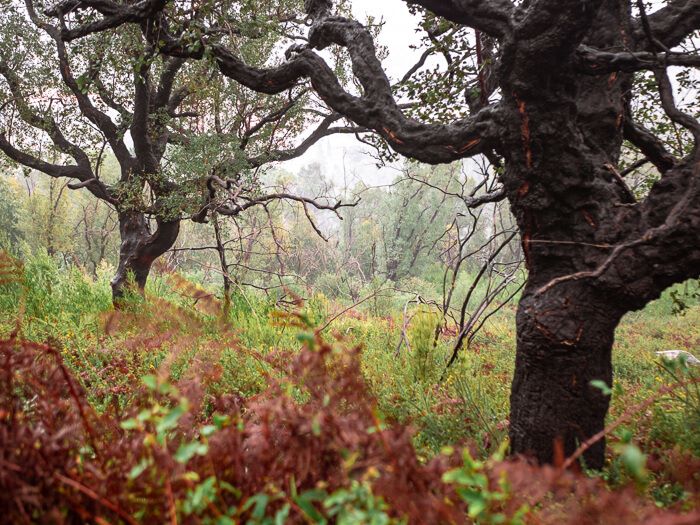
pixel 139 249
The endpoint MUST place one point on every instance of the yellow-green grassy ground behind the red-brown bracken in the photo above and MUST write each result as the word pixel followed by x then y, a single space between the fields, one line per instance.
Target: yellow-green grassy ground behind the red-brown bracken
pixel 177 332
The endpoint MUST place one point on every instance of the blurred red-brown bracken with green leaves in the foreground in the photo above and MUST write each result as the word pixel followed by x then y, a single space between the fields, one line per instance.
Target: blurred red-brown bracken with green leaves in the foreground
pixel 311 448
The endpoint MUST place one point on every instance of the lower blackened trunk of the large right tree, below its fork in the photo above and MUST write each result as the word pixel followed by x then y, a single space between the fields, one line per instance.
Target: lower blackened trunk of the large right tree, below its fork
pixel 565 339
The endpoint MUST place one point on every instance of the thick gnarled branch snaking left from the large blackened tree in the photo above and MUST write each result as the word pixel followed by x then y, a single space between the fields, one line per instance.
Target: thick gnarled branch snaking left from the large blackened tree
pixel 375 108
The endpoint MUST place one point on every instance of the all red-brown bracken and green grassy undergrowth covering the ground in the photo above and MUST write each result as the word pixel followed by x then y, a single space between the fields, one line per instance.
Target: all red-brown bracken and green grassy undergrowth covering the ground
pixel 165 412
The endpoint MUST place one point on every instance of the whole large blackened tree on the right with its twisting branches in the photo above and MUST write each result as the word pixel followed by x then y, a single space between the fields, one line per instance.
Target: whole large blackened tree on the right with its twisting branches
pixel 556 106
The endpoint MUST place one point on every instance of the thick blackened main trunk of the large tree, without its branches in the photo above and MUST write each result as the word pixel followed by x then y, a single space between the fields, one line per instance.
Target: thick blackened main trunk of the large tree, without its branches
pixel 563 141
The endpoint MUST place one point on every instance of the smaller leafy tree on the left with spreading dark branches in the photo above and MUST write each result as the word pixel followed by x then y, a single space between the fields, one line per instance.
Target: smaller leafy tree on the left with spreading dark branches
pixel 188 141
